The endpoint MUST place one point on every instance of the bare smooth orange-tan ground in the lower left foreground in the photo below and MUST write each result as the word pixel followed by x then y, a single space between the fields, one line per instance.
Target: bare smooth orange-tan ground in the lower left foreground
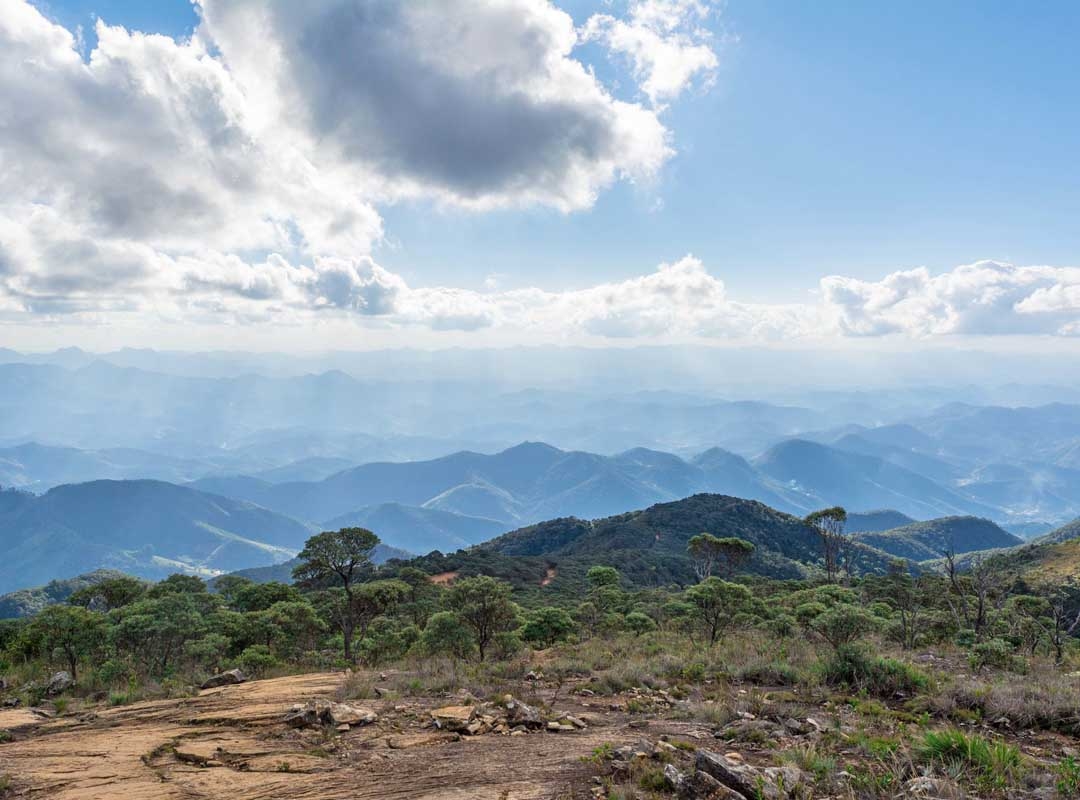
pixel 232 743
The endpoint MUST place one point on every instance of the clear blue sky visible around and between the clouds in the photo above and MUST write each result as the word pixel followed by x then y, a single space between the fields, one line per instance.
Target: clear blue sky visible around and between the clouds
pixel 840 138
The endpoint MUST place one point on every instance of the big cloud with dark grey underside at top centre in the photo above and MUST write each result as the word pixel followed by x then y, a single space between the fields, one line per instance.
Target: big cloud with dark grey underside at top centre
pixel 478 104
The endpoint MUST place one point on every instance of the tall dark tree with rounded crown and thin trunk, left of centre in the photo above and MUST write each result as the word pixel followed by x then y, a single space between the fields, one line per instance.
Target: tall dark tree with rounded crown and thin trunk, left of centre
pixel 341 557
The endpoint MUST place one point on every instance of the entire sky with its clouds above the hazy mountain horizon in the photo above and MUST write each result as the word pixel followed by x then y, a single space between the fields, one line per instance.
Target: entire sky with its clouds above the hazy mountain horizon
pixel 366 173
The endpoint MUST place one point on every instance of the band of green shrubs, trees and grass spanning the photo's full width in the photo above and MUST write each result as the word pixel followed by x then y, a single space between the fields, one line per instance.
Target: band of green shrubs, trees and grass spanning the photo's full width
pixel 708 650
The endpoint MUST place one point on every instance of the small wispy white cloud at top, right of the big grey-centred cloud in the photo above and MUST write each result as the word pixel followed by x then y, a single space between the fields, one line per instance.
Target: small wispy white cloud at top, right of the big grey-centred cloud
pixel 666 42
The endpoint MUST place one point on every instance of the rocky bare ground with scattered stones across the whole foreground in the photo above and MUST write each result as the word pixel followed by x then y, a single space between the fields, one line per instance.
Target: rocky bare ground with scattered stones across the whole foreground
pixel 307 737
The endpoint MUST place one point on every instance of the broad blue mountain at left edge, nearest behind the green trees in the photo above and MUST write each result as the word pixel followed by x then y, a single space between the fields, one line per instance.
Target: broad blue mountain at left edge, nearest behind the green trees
pixel 146 528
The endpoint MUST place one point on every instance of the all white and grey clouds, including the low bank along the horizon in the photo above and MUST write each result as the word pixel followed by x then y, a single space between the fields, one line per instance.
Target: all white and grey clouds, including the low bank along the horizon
pixel 236 178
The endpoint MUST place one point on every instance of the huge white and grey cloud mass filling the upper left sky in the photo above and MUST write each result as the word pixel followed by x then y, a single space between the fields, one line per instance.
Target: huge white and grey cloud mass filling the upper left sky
pixel 240 172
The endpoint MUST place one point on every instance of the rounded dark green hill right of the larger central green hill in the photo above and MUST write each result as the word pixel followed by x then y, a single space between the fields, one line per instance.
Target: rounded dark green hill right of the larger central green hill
pixel 931 539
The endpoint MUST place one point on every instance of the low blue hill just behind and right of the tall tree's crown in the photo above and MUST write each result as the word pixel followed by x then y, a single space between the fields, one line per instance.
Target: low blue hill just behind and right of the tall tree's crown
pixel 420 531
